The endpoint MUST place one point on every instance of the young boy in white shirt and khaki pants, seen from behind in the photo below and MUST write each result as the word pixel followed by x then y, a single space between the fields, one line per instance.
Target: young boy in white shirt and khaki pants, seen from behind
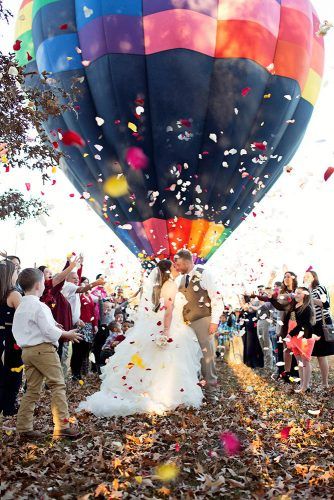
pixel 37 333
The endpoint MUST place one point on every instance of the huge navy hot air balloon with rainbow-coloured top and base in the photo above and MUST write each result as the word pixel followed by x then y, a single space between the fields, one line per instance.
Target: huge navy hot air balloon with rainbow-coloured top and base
pixel 215 94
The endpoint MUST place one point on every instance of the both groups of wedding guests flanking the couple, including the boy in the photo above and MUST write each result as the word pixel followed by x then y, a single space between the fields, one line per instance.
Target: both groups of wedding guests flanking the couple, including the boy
pixel 277 330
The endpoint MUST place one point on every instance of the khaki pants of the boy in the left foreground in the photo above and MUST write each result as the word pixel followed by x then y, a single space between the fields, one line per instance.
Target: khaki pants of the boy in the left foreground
pixel 42 361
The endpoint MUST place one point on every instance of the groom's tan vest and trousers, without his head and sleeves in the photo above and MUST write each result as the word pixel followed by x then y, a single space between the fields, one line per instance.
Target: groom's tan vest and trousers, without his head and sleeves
pixel 197 313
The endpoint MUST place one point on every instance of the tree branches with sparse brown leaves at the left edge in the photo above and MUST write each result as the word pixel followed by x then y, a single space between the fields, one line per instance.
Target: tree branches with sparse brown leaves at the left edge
pixel 23 112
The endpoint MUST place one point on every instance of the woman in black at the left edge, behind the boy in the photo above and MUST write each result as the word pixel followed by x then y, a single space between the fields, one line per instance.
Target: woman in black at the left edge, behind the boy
pixel 11 367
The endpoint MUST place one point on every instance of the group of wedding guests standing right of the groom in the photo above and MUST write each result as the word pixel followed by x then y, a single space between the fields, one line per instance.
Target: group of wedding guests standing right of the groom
pixel 282 326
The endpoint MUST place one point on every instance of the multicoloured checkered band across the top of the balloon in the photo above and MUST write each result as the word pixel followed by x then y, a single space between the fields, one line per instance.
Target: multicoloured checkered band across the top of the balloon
pixel 269 33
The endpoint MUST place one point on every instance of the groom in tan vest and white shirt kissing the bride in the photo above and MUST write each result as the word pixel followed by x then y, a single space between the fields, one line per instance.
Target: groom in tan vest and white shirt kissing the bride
pixel 202 312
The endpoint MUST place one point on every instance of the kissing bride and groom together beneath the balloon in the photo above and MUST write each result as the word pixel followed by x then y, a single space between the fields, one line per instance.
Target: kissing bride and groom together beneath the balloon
pixel 180 302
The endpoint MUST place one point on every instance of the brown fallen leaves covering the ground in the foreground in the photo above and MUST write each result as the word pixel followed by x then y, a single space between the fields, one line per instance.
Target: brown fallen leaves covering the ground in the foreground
pixel 285 452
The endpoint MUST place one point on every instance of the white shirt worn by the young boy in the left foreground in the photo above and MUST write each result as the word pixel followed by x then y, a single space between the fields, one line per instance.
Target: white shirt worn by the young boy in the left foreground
pixel 34 324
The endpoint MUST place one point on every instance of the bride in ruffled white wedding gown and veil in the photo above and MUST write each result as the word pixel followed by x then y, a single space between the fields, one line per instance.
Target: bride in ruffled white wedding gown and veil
pixel 156 367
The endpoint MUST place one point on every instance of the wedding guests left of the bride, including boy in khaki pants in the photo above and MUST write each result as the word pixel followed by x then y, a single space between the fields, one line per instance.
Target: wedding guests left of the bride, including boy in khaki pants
pixel 64 309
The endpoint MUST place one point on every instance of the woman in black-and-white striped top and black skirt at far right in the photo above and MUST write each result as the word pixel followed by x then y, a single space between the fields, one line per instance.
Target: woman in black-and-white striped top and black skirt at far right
pixel 321 301
